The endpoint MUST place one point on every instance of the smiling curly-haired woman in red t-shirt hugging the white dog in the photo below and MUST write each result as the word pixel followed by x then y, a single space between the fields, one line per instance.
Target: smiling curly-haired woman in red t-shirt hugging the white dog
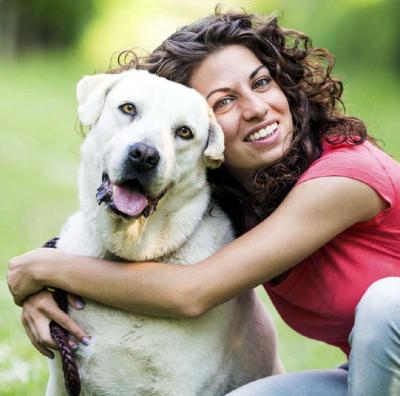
pixel 315 202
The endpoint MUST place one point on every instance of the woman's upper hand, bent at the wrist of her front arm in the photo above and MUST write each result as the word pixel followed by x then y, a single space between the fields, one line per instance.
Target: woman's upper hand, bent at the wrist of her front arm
pixel 22 277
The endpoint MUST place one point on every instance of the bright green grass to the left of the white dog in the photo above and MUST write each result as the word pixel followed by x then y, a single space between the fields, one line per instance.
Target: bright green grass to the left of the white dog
pixel 39 155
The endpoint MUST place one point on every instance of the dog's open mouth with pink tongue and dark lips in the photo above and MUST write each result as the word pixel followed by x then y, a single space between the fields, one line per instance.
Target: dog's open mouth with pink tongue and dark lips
pixel 127 199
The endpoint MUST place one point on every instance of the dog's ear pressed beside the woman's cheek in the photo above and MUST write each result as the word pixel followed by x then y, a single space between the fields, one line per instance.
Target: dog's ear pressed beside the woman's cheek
pixel 214 152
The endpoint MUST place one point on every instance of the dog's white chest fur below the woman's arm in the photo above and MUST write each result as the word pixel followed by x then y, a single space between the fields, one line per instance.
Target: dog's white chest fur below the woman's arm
pixel 133 354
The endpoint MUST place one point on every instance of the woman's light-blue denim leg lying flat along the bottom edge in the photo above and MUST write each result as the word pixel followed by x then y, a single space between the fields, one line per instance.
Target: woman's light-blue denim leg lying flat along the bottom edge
pixel 302 383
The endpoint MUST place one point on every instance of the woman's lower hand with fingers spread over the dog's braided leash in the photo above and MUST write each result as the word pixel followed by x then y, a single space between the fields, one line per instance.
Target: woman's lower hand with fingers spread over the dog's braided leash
pixel 38 310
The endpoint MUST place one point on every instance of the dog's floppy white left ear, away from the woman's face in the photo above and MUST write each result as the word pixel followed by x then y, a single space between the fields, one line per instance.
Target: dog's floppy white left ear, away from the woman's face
pixel 91 93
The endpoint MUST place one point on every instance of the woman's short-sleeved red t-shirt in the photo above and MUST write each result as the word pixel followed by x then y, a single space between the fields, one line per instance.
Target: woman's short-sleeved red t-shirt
pixel 319 295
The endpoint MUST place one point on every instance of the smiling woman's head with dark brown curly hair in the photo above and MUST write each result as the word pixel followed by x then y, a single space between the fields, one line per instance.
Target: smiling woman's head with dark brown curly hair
pixel 301 74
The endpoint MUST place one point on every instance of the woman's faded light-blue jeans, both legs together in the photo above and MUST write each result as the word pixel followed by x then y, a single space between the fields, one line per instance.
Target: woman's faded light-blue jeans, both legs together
pixel 374 364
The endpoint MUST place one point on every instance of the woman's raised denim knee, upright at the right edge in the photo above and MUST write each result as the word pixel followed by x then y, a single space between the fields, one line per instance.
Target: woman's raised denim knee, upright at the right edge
pixel 374 368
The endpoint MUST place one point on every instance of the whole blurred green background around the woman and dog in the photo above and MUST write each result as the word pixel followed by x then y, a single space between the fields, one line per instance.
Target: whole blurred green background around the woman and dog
pixel 47 45
